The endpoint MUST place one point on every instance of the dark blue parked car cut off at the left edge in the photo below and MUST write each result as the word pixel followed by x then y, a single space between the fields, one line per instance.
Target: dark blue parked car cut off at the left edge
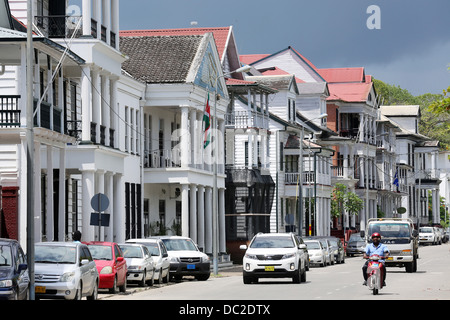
pixel 14 278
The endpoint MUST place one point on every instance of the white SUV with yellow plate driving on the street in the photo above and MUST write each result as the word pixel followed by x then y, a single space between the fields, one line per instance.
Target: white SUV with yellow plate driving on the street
pixel 274 255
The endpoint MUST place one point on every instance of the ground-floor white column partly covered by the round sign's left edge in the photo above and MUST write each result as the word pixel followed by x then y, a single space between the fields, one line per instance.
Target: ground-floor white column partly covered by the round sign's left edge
pixel 88 191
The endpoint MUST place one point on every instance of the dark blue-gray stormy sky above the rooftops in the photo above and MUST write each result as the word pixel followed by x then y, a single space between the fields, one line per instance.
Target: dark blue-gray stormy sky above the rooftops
pixel 401 42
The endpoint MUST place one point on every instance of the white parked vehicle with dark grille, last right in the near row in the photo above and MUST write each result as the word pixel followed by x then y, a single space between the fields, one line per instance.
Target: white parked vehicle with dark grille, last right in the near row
pixel 186 259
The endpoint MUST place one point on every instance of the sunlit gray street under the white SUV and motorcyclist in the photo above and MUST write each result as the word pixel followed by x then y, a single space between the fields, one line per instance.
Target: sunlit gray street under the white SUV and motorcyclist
pixel 336 282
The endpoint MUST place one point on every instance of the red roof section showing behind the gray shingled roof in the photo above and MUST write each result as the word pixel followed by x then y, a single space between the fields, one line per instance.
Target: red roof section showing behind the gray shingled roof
pixel 220 34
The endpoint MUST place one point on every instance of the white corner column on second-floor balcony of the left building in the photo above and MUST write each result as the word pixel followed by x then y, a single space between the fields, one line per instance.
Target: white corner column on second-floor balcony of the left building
pixel 86 102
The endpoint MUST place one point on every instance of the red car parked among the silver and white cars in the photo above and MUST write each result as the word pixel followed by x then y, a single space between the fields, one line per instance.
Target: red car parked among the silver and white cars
pixel 111 265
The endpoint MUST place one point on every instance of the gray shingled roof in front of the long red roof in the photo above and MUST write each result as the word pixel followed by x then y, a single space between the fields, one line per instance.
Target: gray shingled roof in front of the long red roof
pixel 159 59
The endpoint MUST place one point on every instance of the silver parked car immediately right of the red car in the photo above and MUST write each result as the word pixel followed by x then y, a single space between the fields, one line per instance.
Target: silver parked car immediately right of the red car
pixel 141 268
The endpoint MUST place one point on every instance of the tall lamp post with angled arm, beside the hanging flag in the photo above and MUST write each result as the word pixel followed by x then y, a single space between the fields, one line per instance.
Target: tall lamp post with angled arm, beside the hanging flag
pixel 215 215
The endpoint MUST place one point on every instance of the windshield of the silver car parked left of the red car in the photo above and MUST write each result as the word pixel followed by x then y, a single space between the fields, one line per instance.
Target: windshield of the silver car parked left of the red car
pixel 55 254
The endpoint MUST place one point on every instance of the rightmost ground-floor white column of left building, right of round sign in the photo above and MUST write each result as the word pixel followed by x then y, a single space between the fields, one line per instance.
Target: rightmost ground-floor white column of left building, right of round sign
pixel 119 208
